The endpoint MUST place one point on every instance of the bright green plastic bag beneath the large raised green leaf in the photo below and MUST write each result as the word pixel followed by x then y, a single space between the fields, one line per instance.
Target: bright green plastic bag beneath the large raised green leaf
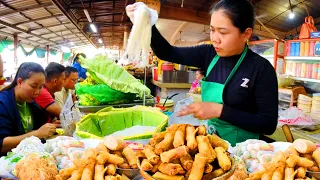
pixel 100 94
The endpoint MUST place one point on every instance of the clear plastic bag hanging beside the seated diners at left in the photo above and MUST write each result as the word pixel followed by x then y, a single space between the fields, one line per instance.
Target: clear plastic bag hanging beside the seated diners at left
pixel 69 116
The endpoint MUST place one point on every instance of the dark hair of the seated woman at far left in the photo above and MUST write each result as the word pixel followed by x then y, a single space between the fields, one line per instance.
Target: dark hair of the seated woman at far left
pixel 24 72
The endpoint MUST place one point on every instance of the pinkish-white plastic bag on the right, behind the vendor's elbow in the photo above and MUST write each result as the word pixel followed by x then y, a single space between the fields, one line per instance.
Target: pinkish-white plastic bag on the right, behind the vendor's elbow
pixel 297 118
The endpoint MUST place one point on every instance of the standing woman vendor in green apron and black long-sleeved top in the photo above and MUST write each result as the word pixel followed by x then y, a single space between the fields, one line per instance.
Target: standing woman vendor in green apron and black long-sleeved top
pixel 240 90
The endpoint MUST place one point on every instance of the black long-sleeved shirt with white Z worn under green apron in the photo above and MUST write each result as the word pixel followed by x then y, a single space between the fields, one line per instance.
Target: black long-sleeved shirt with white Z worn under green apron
pixel 251 96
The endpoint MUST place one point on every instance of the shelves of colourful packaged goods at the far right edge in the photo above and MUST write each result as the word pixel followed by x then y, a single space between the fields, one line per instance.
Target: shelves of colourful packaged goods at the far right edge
pixel 303 59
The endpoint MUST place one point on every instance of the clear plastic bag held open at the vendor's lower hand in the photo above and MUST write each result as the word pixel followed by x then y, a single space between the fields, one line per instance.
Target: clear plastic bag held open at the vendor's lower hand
pixel 189 119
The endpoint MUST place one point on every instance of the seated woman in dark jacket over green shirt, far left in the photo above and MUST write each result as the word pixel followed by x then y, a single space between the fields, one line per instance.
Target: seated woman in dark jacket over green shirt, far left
pixel 20 116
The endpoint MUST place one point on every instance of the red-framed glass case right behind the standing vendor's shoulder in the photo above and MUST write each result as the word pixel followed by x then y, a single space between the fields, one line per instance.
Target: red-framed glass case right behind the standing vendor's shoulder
pixel 272 50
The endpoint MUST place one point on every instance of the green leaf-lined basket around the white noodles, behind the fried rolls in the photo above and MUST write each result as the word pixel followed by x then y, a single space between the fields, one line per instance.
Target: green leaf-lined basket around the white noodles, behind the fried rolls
pixel 110 120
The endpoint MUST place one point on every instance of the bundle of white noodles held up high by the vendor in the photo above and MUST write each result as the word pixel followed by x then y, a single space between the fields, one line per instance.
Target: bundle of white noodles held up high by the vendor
pixel 140 37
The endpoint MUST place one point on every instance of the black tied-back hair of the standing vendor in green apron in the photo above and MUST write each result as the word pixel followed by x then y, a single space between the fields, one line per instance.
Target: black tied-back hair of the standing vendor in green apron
pixel 240 12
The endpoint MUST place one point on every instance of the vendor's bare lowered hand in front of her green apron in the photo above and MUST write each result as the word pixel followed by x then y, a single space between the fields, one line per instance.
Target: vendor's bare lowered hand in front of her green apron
pixel 202 110
